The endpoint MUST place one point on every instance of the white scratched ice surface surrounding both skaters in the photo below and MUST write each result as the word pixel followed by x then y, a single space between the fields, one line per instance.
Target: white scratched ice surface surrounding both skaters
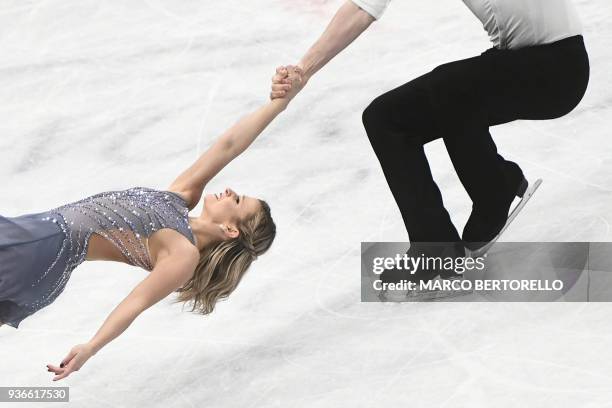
pixel 97 96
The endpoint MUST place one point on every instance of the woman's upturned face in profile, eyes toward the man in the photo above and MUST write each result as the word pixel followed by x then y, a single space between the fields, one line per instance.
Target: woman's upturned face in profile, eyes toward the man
pixel 229 207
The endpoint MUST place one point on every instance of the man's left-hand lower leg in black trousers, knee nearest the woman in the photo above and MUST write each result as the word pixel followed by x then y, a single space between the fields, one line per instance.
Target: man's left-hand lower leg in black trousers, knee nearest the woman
pixel 396 123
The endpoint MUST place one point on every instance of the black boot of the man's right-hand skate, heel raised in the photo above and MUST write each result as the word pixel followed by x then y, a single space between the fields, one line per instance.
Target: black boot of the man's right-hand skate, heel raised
pixel 485 224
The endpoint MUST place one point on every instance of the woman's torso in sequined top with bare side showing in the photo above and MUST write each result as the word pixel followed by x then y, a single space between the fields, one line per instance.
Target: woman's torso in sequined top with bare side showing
pixel 133 226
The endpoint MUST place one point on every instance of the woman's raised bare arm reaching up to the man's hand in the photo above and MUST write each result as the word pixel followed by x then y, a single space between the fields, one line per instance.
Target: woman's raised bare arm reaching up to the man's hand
pixel 231 144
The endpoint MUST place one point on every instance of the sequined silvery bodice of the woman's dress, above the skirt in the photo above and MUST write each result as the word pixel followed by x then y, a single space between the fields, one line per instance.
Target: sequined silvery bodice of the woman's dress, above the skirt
pixel 125 218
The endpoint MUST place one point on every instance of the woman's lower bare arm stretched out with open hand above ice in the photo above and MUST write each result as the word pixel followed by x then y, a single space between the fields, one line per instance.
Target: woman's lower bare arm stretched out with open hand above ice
pixel 170 273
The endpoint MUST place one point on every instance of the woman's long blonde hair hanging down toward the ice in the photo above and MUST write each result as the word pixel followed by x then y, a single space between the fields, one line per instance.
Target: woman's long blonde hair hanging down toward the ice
pixel 222 266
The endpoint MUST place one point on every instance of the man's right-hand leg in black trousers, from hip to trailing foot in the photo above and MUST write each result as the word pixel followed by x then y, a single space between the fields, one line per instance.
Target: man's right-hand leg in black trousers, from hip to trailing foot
pixel 541 82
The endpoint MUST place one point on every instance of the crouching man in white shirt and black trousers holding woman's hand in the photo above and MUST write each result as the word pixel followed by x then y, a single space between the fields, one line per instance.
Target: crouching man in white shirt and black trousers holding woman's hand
pixel 538 68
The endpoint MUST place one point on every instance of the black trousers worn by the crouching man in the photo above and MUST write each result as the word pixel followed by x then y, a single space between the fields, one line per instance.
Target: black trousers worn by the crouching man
pixel 458 101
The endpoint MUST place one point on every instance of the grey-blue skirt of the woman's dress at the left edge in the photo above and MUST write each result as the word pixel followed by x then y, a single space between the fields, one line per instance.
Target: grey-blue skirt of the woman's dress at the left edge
pixel 32 262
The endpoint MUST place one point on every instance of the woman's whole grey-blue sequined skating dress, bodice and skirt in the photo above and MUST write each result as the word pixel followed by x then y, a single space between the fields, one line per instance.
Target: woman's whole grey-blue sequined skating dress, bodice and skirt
pixel 38 252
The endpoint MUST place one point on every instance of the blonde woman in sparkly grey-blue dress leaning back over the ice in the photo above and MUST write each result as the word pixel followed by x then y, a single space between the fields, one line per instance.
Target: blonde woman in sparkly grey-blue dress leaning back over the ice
pixel 202 258
